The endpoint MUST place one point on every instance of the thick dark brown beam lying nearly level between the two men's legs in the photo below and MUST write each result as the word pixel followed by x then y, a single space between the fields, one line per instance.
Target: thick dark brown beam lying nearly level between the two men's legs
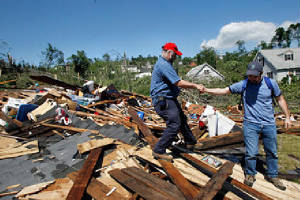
pixel 222 140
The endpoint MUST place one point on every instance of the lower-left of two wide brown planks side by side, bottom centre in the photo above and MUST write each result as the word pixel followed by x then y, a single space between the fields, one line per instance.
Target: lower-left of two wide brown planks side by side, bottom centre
pixel 137 186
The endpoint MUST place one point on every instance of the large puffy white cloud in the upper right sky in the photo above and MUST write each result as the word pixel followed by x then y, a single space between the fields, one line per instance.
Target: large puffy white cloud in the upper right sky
pixel 251 31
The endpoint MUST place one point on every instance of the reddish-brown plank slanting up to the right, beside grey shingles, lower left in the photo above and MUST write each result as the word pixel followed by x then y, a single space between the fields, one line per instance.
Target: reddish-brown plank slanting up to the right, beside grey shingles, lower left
pixel 84 175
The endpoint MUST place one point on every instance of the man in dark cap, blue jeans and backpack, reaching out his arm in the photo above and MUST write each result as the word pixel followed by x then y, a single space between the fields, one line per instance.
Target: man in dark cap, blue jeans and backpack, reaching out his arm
pixel 257 93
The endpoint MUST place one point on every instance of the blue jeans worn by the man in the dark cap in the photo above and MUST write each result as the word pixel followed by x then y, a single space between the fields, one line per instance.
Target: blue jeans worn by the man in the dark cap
pixel 269 137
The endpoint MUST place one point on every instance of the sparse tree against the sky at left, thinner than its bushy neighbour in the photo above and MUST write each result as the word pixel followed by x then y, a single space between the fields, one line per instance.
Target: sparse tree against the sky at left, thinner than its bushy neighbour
pixel 52 56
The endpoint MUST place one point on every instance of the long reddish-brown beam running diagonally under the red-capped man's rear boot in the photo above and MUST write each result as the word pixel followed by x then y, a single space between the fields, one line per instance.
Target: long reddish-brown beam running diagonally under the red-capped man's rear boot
pixel 188 190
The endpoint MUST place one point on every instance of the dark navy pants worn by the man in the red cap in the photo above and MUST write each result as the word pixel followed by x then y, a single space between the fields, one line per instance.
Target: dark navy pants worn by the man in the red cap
pixel 176 121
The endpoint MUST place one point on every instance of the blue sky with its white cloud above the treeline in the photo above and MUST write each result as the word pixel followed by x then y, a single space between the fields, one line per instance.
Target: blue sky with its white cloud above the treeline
pixel 137 27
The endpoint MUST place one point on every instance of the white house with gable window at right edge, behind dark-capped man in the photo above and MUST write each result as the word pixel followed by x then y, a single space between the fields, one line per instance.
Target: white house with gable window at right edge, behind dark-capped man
pixel 279 63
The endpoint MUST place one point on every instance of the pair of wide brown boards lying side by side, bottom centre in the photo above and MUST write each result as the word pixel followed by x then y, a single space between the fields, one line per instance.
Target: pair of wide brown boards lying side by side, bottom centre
pixel 146 185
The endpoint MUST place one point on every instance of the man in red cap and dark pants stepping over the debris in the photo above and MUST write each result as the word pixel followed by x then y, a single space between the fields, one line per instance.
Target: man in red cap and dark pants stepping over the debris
pixel 165 84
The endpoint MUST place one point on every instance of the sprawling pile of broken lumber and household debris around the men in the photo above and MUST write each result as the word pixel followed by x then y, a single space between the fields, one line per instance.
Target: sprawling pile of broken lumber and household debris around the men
pixel 68 142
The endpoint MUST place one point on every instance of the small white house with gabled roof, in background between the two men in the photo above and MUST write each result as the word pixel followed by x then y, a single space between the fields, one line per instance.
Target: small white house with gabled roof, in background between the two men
pixel 204 72
